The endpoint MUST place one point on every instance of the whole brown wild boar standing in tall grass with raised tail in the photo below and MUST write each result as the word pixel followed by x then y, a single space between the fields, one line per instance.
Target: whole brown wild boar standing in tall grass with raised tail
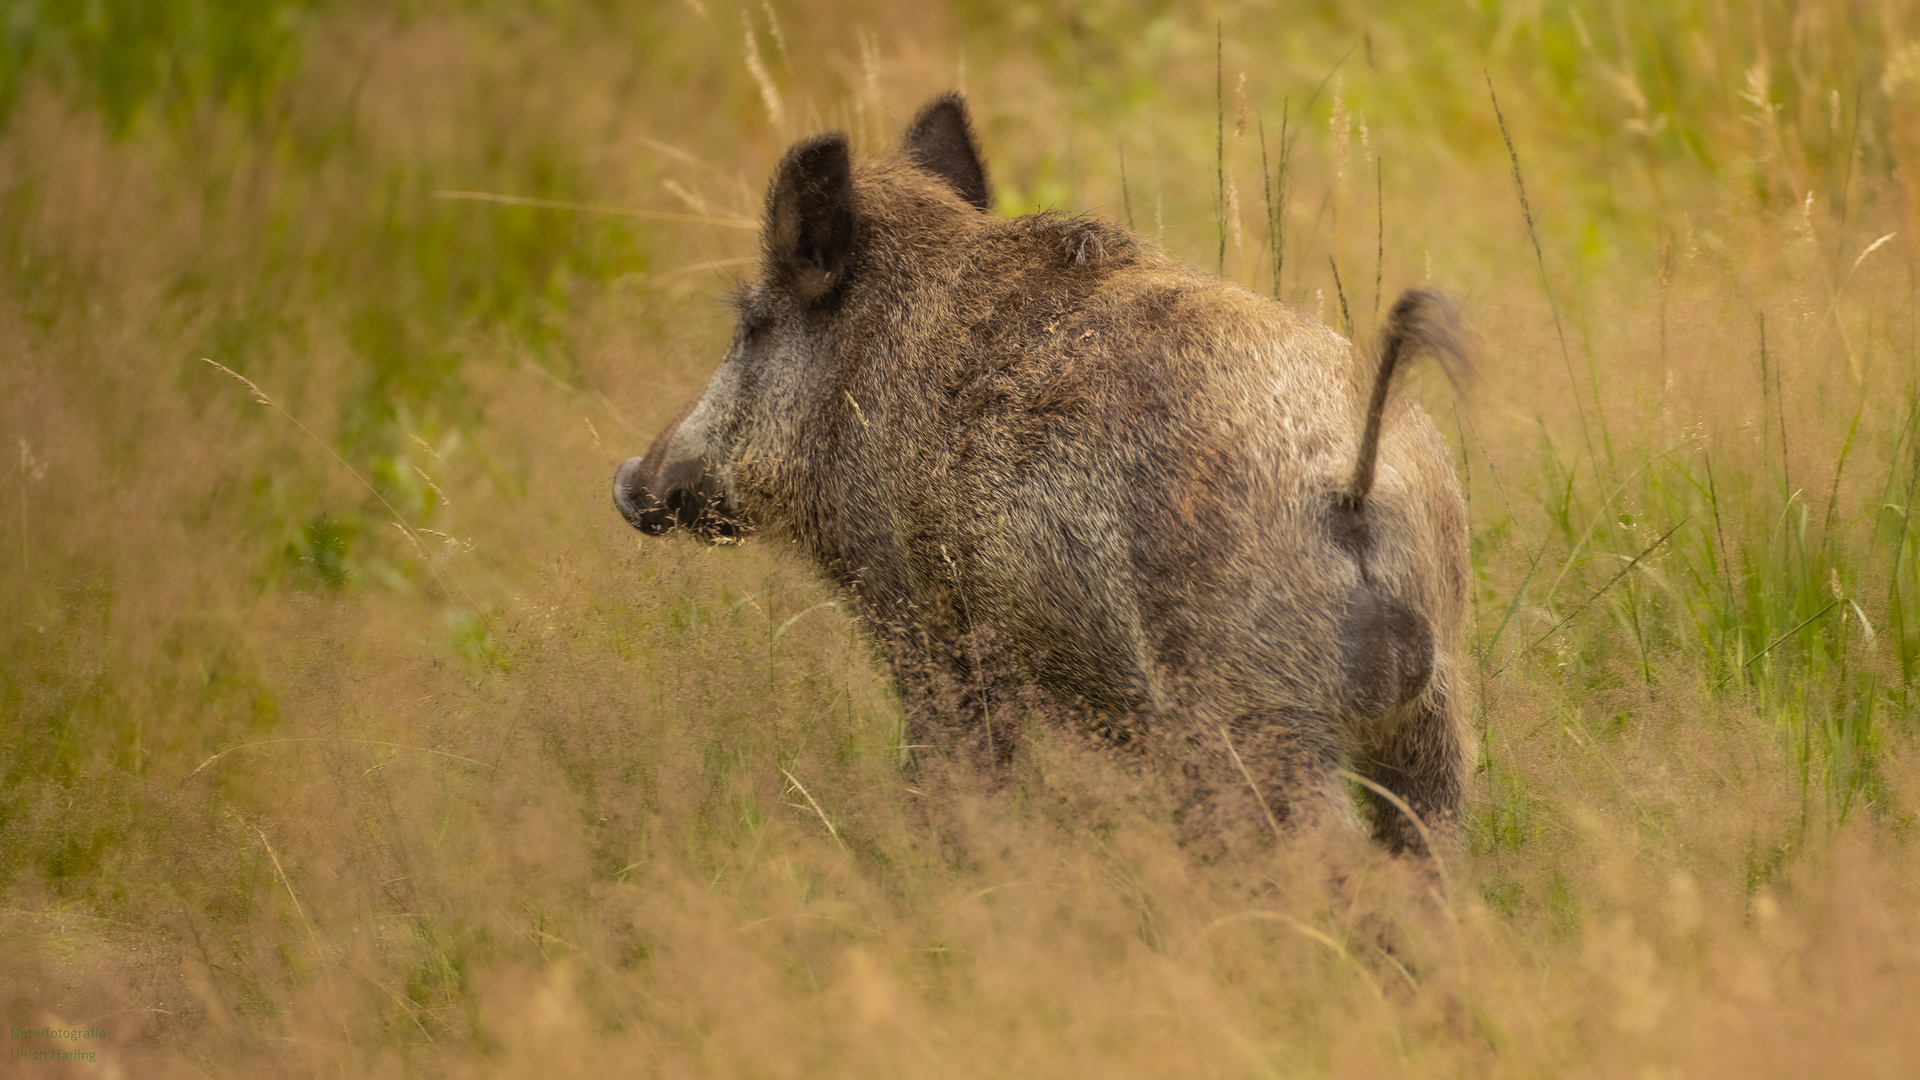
pixel 1140 483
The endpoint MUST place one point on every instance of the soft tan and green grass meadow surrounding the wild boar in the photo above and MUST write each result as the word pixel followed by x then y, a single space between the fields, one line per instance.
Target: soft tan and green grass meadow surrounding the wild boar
pixel 356 735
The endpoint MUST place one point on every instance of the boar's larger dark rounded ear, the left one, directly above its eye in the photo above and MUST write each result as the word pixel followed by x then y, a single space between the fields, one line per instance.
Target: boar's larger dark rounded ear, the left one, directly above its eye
pixel 809 220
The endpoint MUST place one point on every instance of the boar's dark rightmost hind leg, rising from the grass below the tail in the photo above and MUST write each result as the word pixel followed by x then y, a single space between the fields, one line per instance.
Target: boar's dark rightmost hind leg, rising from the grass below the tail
pixel 1422 762
